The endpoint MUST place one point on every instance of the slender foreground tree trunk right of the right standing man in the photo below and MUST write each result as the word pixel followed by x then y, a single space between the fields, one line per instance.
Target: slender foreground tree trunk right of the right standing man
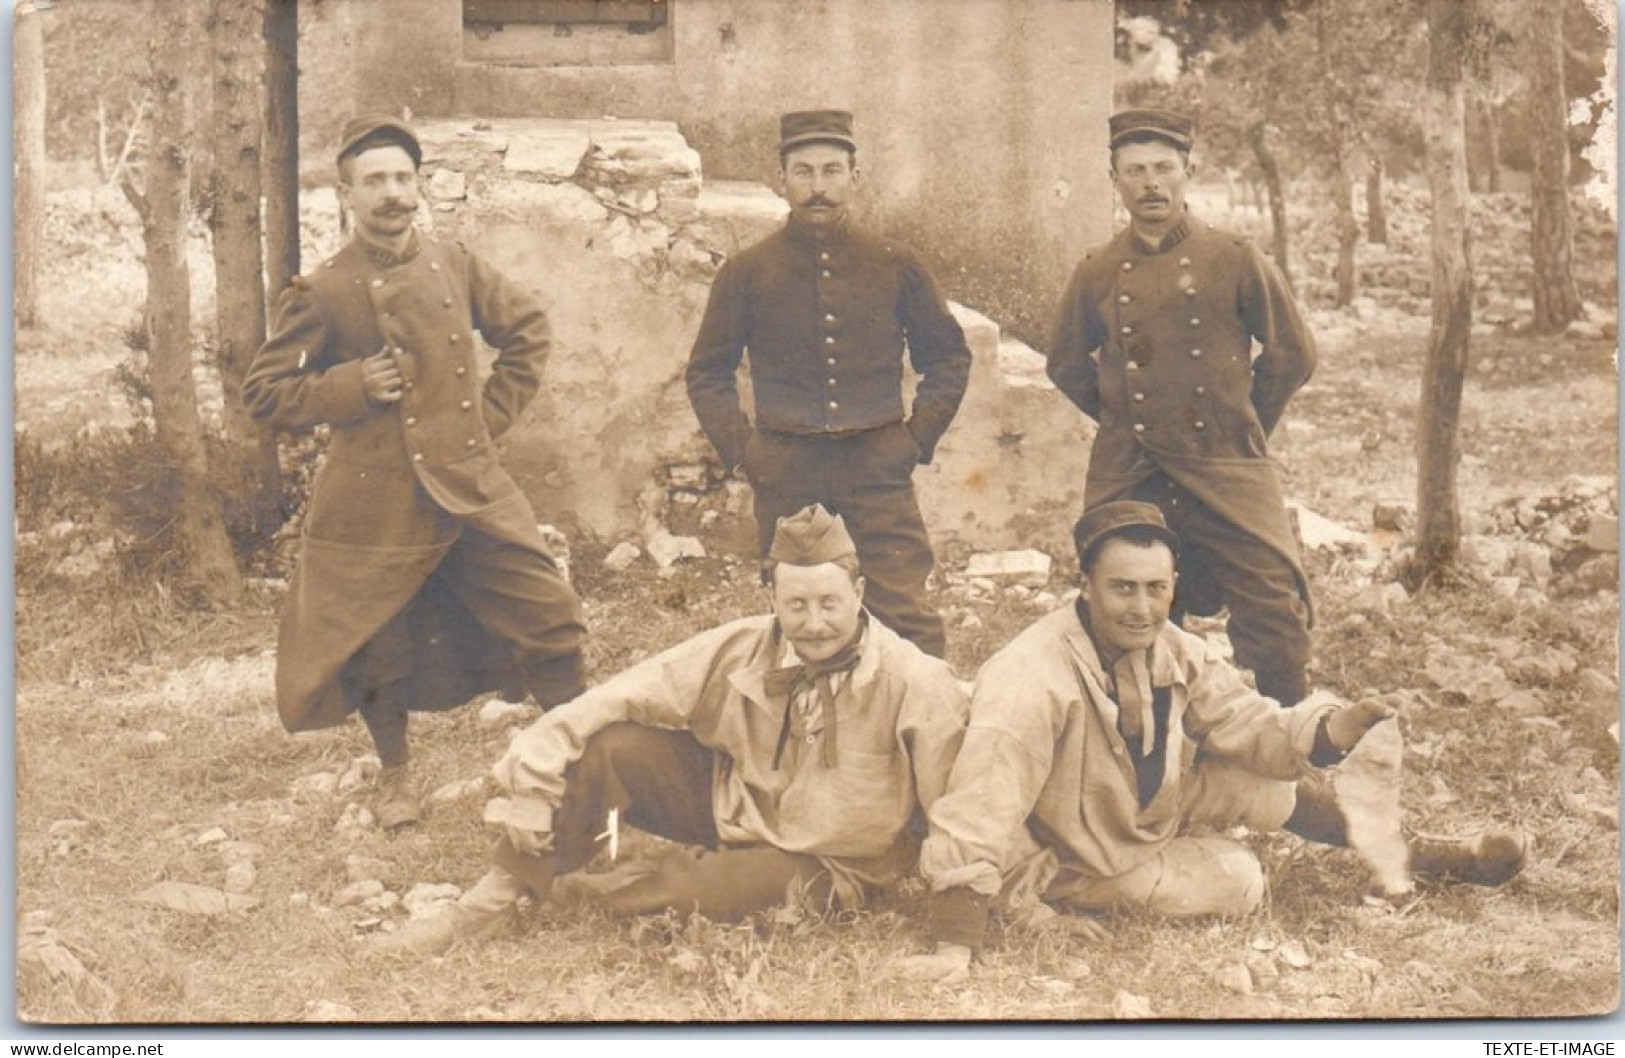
pixel 1445 370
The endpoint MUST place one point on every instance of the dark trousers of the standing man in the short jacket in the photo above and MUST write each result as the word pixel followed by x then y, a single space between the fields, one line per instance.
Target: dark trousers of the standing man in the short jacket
pixel 865 477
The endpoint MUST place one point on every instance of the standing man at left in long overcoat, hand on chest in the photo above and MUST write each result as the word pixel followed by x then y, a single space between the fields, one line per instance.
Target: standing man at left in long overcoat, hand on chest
pixel 423 576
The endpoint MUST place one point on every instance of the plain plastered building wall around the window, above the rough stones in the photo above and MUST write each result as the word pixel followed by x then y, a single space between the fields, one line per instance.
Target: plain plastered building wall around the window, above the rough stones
pixel 982 123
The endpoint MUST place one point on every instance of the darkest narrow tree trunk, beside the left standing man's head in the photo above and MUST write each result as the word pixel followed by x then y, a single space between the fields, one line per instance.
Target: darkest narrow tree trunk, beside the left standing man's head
pixel 282 145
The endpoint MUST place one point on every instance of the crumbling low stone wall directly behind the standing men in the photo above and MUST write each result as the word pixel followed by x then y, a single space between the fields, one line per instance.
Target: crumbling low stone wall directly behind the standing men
pixel 618 233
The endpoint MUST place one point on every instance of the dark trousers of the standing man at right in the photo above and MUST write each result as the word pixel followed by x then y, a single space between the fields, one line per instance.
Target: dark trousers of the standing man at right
pixel 1268 622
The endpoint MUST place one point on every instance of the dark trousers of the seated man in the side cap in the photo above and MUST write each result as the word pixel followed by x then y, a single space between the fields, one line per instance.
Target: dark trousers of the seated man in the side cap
pixel 661 783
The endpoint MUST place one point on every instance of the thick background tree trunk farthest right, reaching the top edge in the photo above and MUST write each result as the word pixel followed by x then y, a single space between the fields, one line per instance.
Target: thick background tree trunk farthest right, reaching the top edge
pixel 1556 297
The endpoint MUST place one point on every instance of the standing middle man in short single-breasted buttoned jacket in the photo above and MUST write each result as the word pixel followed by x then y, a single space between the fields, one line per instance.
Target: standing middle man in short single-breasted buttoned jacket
pixel 826 313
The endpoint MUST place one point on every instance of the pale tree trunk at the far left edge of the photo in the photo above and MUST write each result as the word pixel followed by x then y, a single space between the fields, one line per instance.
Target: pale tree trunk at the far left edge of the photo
pixel 30 145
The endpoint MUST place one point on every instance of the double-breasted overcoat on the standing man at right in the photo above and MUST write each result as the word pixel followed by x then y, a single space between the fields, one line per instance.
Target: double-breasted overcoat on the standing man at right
pixel 1158 345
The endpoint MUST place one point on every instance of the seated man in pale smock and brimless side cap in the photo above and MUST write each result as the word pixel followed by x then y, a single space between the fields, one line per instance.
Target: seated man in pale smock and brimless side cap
pixel 795 752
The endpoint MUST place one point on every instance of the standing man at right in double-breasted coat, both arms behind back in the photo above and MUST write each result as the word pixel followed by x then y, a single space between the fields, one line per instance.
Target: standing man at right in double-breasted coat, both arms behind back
pixel 1156 342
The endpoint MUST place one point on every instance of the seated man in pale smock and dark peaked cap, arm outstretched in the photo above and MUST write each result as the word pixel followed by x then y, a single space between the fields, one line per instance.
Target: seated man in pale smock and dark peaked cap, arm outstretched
pixel 1103 735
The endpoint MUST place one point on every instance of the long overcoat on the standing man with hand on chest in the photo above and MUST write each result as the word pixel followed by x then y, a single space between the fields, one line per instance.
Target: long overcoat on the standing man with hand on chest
pixel 401 482
